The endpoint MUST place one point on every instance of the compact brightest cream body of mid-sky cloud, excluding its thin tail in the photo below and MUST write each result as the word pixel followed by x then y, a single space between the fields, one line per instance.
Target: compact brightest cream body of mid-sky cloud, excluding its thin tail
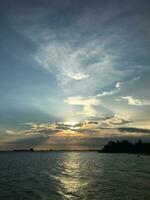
pixel 87 103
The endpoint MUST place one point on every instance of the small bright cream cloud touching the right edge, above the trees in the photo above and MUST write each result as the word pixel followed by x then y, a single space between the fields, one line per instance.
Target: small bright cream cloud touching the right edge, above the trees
pixel 135 102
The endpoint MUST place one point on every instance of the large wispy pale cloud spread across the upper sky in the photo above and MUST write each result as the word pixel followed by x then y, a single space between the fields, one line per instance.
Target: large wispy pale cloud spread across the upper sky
pixel 89 61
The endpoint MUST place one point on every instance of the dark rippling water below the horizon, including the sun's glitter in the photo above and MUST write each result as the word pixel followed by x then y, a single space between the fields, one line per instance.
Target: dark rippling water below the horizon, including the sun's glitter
pixel 74 175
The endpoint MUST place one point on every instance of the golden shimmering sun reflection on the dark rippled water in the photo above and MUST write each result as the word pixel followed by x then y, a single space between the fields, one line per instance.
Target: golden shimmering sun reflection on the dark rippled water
pixel 70 181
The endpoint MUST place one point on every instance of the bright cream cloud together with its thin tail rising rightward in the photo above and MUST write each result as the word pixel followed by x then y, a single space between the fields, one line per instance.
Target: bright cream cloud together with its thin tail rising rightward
pixel 95 106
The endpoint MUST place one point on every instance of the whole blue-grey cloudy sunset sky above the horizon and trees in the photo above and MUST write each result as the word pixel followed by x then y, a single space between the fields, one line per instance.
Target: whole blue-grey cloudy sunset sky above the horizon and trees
pixel 73 74
